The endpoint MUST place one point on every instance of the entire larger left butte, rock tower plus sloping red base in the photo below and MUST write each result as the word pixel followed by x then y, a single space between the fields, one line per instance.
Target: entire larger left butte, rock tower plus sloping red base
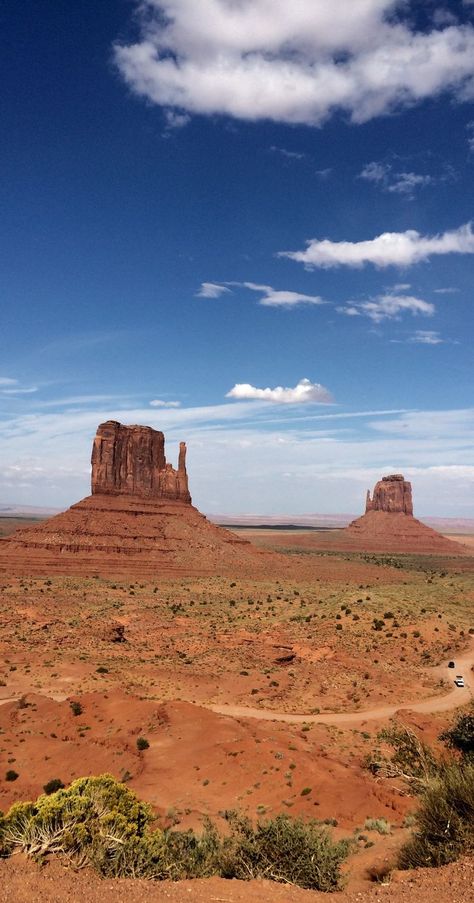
pixel 139 520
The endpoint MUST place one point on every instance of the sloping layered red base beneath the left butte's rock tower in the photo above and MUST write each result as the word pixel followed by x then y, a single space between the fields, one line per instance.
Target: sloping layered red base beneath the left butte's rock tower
pixel 113 535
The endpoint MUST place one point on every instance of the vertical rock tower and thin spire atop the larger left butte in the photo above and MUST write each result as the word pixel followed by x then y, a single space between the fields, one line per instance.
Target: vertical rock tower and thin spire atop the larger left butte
pixel 130 460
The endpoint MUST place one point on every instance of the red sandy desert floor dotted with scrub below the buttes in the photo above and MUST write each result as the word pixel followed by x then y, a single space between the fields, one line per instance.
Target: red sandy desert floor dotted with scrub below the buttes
pixel 260 695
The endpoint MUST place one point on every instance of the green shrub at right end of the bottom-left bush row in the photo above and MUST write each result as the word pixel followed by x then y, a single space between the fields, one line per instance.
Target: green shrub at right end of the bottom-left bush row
pixel 283 849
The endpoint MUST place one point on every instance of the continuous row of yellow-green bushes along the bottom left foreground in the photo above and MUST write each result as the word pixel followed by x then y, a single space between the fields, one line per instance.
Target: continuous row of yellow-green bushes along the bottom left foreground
pixel 101 823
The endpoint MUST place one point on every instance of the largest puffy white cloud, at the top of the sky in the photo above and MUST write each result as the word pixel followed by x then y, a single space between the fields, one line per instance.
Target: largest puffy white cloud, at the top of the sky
pixel 292 62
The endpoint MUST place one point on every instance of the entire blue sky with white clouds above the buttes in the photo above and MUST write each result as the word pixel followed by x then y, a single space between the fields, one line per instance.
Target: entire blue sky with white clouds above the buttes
pixel 246 224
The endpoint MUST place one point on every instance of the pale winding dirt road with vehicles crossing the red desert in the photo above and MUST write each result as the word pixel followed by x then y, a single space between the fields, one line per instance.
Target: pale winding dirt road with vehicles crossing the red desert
pixel 445 703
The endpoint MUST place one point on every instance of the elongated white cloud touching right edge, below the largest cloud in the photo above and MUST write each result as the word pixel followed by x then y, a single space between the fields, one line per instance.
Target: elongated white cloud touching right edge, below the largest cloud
pixel 401 249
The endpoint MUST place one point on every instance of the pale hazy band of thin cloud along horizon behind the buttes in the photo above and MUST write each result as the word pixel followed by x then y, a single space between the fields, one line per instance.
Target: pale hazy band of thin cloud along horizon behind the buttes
pixel 317 461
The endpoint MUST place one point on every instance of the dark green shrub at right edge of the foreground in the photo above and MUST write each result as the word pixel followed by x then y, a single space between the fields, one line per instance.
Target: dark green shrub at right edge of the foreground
pixel 445 820
